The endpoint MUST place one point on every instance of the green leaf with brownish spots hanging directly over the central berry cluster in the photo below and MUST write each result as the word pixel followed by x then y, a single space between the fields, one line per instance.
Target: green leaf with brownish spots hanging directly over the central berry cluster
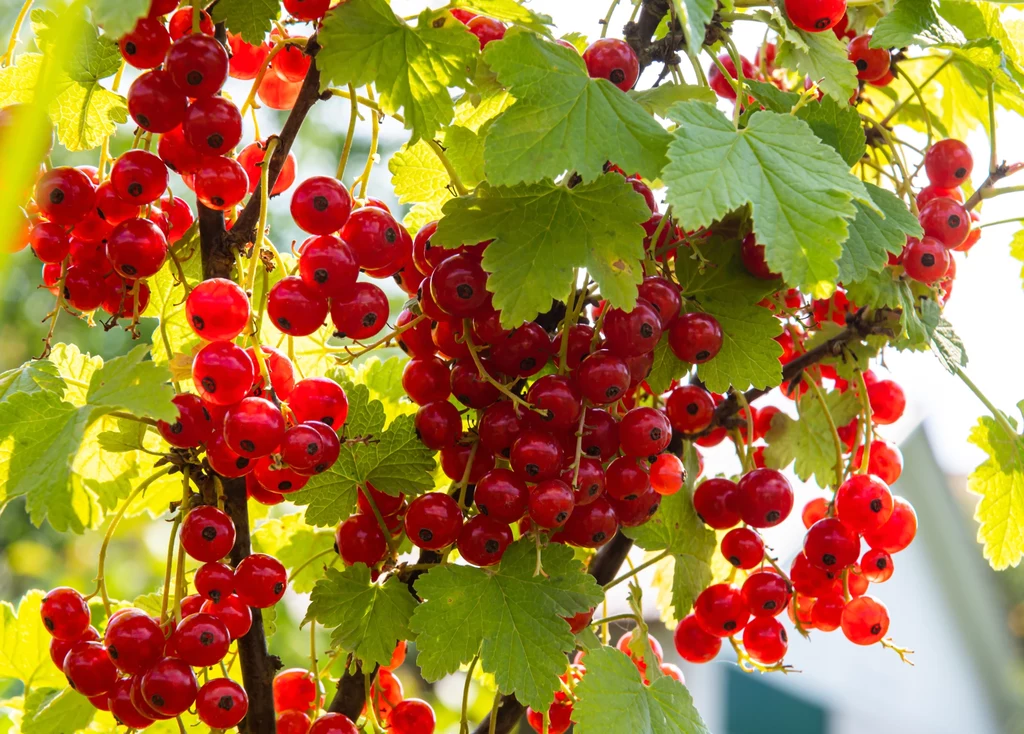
pixel 542 232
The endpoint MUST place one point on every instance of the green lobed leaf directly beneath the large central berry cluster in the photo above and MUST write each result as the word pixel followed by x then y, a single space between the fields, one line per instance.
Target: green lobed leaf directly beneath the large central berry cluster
pixel 515 614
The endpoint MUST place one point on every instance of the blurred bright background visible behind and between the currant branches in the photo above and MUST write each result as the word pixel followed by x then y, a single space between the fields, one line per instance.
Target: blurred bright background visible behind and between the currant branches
pixel 965 623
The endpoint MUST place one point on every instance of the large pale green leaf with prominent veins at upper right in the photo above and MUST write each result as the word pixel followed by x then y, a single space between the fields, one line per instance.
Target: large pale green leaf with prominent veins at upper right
pixel 801 193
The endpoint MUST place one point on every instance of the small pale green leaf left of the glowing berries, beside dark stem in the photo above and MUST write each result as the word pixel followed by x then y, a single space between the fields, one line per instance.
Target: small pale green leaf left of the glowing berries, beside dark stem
pixel 134 384
